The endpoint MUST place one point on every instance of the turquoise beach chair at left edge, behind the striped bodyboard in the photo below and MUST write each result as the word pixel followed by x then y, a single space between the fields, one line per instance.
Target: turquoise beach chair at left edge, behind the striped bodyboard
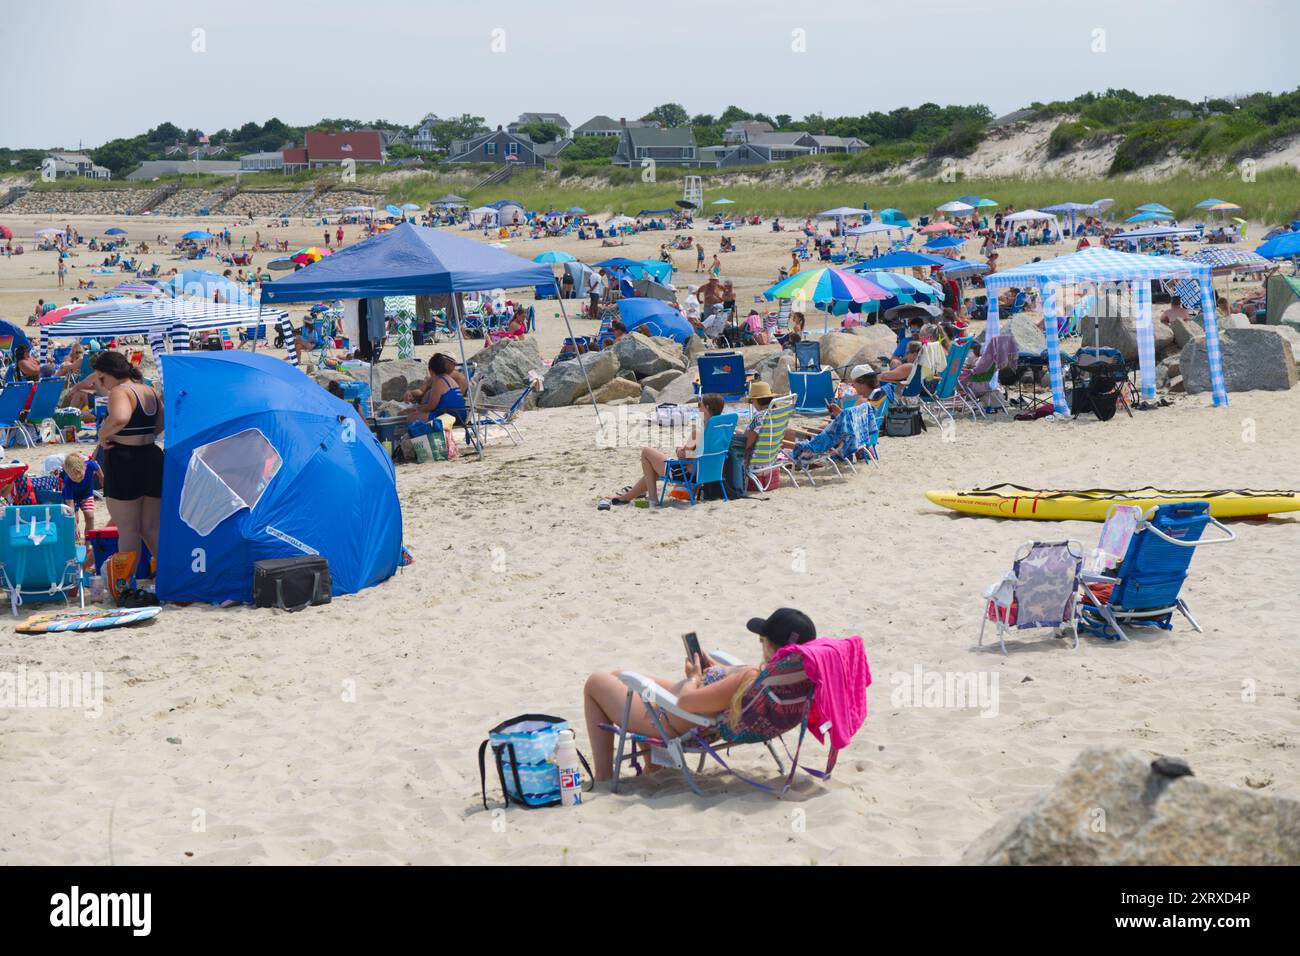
pixel 38 553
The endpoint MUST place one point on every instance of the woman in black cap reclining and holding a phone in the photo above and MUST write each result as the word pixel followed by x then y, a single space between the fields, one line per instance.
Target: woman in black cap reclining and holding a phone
pixel 709 690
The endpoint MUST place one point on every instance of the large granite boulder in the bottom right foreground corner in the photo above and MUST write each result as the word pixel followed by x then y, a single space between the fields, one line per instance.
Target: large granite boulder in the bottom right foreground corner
pixel 1123 808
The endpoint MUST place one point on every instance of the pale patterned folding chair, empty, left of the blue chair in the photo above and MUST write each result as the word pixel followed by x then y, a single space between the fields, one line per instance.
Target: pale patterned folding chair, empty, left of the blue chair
pixel 1041 591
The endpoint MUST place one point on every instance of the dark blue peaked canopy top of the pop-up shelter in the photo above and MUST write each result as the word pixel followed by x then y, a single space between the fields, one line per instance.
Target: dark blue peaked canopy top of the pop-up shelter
pixel 408 261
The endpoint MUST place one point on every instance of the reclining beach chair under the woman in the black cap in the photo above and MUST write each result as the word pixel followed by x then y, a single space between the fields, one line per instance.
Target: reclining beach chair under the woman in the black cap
pixel 778 703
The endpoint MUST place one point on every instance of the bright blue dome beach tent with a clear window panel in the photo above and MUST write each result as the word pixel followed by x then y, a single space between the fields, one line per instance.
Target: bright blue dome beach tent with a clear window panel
pixel 259 464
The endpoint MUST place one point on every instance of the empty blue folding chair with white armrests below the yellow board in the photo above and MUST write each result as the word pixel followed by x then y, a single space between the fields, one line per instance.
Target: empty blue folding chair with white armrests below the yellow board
pixel 1145 592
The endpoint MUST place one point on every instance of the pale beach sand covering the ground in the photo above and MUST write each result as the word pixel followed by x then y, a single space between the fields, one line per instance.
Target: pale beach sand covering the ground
pixel 349 734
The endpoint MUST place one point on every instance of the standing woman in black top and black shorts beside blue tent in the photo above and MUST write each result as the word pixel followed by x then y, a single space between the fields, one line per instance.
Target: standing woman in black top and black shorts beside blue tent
pixel 133 466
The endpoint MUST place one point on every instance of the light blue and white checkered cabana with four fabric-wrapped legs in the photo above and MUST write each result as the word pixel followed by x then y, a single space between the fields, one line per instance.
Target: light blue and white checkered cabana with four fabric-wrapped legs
pixel 1093 267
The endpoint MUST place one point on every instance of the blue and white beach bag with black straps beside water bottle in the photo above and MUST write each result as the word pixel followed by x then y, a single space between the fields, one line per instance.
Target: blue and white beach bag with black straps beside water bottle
pixel 523 750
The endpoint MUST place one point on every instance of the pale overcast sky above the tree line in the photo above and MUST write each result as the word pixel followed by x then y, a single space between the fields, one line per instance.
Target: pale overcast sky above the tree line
pixel 89 71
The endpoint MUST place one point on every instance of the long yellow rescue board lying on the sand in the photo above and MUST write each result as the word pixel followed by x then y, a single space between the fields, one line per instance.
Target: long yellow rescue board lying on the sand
pixel 1093 504
